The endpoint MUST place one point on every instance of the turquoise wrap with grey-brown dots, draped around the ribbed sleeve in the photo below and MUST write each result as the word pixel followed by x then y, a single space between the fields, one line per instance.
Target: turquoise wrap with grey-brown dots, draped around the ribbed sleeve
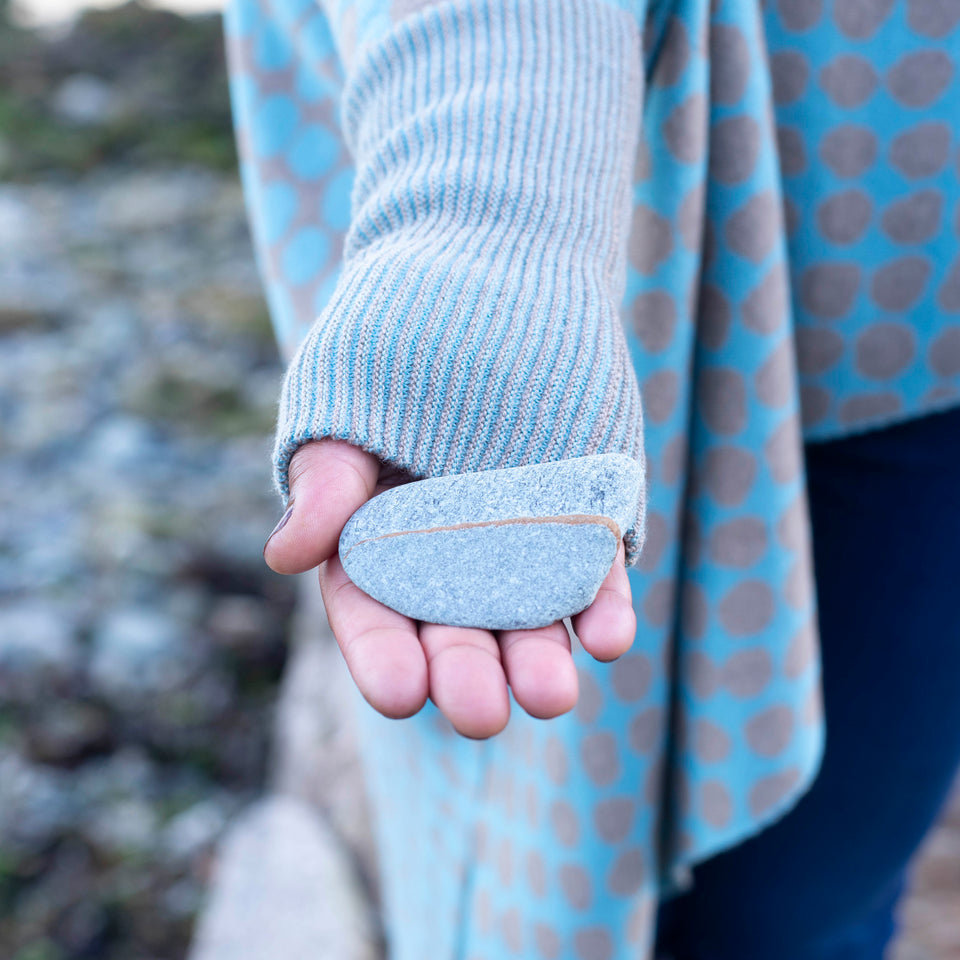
pixel 792 273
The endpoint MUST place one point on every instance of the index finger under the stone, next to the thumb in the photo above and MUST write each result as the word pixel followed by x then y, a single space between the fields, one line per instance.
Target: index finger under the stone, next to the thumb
pixel 380 645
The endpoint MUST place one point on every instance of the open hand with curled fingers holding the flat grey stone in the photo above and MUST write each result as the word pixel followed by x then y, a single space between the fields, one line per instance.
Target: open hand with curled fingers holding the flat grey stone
pixel 397 662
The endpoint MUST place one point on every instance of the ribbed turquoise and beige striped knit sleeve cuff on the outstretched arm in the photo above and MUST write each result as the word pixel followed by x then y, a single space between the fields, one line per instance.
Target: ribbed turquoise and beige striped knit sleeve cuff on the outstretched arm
pixel 475 323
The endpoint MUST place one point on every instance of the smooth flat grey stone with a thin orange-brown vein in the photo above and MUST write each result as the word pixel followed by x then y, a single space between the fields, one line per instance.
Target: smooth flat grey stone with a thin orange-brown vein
pixel 504 549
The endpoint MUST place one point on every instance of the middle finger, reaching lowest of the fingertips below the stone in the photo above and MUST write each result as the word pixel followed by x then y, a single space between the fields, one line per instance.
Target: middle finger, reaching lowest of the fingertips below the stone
pixel 466 678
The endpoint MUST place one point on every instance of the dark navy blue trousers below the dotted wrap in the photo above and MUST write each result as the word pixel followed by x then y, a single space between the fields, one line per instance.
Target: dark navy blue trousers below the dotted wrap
pixel 822 882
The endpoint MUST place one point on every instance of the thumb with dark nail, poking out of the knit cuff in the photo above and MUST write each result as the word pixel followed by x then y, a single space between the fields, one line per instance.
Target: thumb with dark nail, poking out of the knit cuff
pixel 329 480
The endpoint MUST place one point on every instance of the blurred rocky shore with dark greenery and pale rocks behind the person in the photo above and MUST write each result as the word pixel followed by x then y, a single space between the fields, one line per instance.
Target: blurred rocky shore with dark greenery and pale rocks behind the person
pixel 142 640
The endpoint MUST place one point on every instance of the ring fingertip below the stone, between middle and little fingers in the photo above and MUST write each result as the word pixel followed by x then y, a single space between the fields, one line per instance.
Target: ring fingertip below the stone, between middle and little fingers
pixel 540 669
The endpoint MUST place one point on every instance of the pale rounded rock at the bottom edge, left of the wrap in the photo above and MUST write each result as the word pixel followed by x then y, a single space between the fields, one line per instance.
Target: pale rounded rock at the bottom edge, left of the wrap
pixel 284 887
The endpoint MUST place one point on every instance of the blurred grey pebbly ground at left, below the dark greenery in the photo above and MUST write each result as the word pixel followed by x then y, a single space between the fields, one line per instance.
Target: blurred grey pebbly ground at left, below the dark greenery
pixel 141 636
